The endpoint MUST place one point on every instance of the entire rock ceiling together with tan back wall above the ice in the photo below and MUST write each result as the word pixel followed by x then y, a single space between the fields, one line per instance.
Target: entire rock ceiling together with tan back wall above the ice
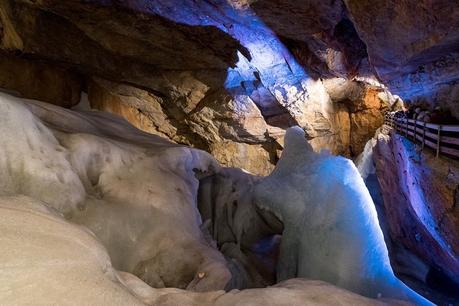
pixel 241 72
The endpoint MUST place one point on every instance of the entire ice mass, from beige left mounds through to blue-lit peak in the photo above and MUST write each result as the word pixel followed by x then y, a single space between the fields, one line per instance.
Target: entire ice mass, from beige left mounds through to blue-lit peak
pixel 139 195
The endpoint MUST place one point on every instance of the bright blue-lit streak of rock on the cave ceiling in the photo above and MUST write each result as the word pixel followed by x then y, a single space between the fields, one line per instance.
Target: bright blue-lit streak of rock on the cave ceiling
pixel 271 66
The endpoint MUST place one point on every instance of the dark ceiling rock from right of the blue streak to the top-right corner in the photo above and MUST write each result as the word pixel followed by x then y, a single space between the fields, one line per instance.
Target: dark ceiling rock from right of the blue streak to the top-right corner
pixel 415 55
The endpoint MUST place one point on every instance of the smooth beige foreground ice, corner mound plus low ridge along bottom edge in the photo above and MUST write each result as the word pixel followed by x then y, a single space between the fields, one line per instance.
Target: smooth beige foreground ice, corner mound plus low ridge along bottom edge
pixel 46 260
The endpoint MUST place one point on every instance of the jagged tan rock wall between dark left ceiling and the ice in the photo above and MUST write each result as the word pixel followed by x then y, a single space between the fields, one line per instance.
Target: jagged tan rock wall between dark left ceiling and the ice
pixel 235 134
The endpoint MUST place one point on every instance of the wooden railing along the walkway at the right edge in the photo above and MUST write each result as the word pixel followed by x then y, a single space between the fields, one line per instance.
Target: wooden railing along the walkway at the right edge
pixel 444 139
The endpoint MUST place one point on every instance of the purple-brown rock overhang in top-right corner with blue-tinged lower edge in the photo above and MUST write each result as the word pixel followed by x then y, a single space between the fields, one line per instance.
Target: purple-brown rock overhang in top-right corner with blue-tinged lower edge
pixel 412 45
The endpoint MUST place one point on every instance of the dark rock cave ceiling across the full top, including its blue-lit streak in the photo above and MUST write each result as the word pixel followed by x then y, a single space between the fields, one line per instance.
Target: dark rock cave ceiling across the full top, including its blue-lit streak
pixel 410 46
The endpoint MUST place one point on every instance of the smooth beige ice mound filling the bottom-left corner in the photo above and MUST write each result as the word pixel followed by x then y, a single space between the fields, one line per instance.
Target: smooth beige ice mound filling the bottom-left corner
pixel 46 260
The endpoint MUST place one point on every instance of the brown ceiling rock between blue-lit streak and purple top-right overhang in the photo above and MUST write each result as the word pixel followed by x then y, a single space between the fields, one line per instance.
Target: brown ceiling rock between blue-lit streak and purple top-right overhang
pixel 318 33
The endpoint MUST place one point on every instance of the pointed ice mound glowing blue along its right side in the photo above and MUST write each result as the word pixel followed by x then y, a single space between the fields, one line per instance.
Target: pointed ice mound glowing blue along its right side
pixel 331 229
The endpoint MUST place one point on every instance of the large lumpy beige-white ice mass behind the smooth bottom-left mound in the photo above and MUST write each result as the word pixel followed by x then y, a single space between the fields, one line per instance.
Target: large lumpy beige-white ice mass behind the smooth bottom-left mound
pixel 135 191
